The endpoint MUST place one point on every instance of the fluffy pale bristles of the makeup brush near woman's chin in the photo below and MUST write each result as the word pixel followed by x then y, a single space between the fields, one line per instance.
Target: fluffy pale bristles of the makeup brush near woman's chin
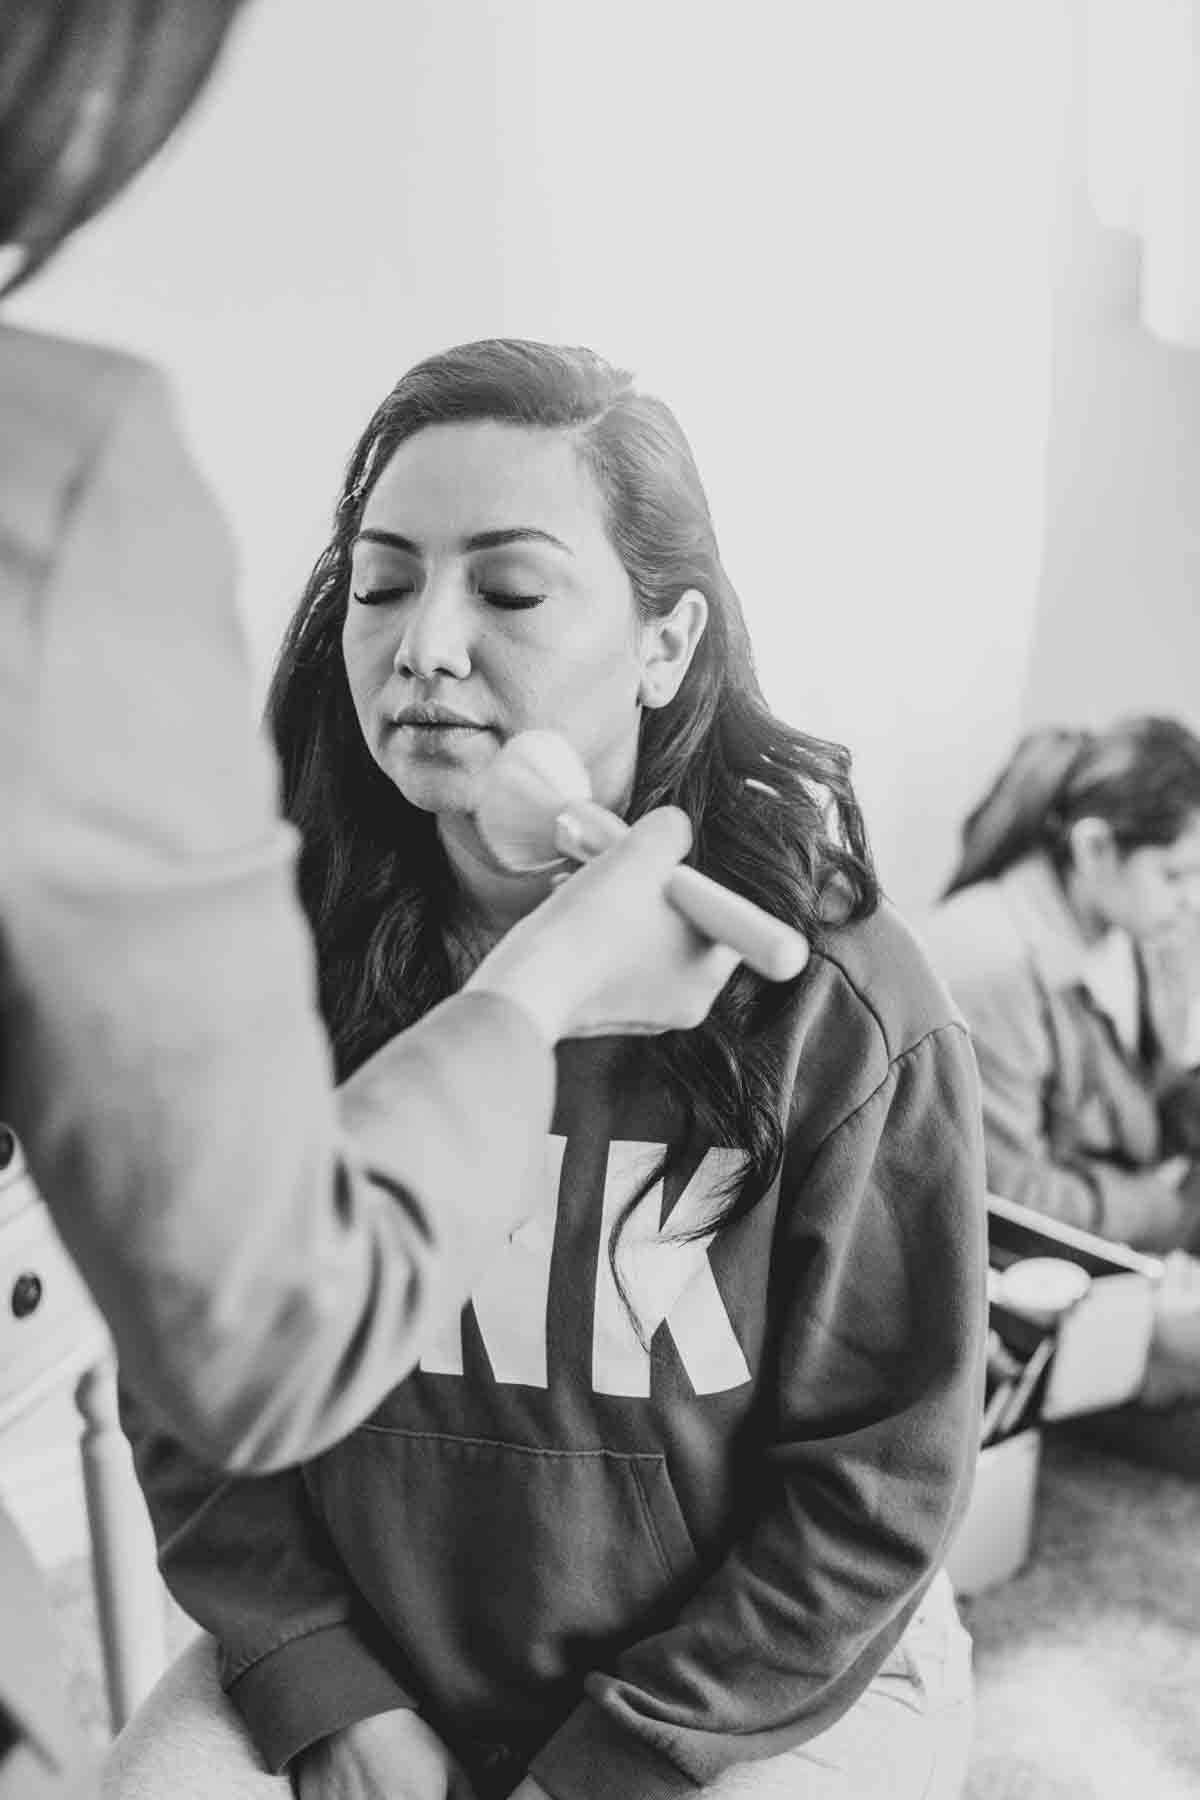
pixel 528 786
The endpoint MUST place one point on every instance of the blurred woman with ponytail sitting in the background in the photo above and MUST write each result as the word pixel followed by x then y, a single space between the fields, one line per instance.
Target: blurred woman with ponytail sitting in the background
pixel 1077 883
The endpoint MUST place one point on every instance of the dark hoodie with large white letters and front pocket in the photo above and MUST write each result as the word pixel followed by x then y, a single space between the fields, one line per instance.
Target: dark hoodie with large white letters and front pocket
pixel 634 1567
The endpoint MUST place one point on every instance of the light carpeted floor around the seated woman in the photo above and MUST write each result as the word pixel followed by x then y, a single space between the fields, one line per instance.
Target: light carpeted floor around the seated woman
pixel 1088 1664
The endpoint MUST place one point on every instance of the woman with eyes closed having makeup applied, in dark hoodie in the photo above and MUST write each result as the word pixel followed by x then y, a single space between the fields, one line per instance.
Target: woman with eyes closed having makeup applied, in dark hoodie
pixel 665 1509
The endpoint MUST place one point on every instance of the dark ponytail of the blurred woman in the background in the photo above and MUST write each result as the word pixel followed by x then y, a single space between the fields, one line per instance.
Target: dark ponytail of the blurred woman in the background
pixel 1023 809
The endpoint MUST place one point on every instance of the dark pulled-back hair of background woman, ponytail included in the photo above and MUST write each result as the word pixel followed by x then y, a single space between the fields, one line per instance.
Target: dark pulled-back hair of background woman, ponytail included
pixel 1142 777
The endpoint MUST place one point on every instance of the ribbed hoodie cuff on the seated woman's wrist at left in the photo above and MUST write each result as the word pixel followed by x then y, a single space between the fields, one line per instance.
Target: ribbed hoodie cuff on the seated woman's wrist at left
pixel 310 1689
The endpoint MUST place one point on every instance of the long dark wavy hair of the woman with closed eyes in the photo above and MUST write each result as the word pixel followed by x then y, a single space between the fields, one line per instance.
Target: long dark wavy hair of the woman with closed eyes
pixel 773 809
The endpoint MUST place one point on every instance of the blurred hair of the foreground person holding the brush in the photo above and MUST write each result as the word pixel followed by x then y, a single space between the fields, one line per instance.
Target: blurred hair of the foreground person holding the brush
pixel 89 93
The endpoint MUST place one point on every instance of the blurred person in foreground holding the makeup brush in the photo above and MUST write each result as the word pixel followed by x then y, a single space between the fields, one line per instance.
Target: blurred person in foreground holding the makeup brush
pixel 271 1254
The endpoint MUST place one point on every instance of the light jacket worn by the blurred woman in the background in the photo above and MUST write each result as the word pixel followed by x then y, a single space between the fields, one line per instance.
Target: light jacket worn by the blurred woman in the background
pixel 1079 1113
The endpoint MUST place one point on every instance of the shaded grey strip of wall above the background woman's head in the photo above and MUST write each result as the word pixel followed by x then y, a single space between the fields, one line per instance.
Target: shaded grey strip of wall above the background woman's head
pixel 1118 618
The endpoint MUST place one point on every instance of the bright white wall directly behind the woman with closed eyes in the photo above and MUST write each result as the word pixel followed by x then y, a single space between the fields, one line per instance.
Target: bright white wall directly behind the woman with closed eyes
pixel 821 231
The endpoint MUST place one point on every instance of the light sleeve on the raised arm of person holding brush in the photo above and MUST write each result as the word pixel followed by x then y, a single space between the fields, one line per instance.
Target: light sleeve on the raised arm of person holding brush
pixel 267 1284
